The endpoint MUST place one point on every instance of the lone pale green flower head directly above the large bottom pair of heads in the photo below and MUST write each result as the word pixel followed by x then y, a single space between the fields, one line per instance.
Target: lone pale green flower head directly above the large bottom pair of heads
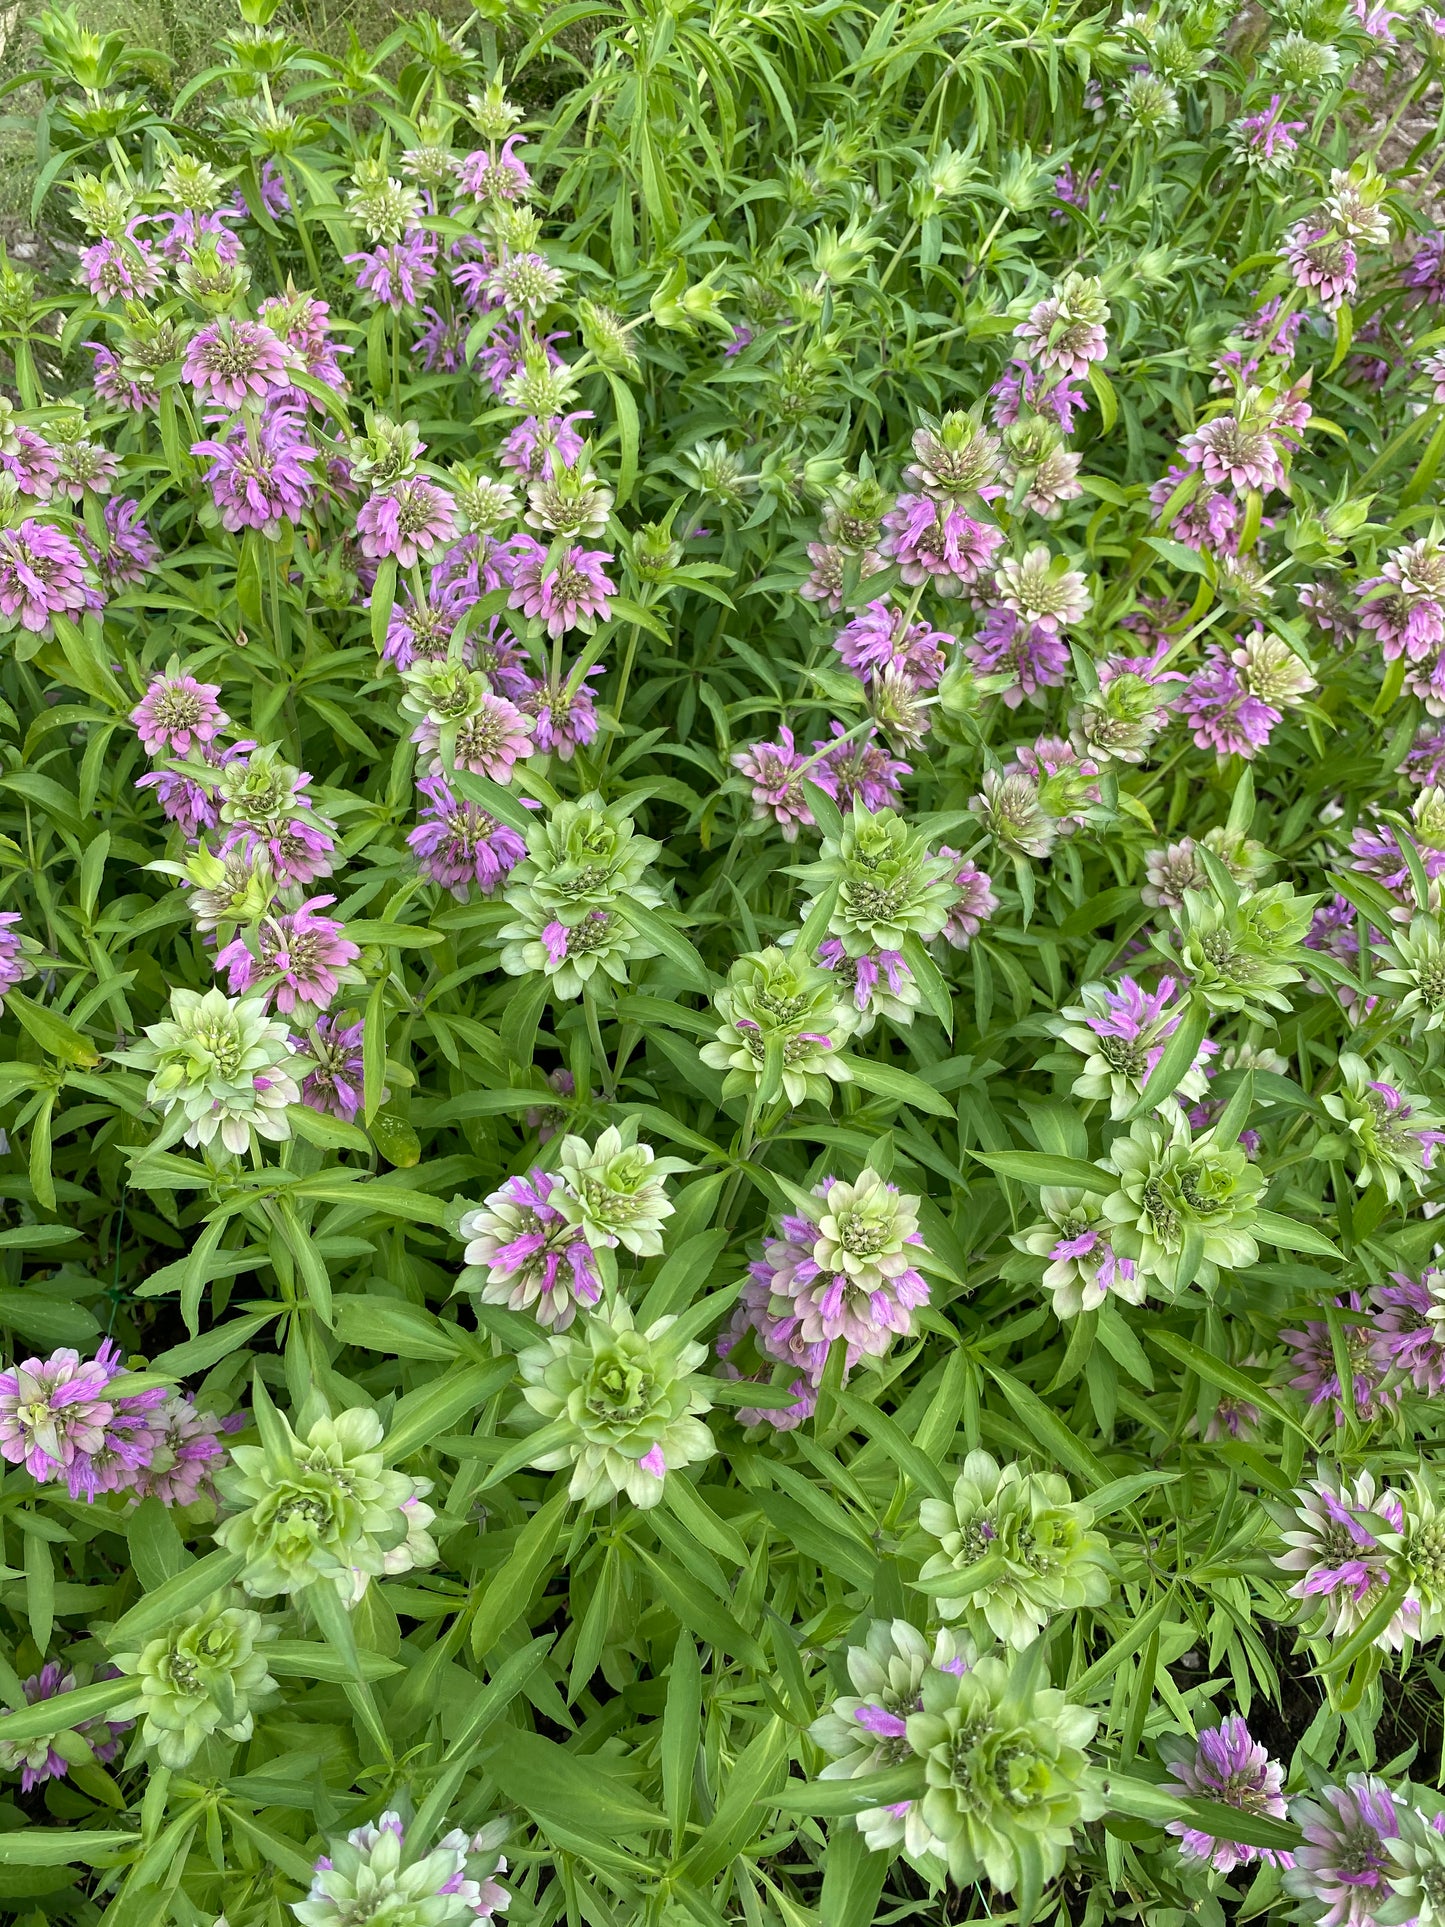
pixel 1026 1546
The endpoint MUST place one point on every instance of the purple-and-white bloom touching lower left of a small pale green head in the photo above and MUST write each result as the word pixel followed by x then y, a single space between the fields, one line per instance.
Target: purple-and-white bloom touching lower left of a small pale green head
pixel 535 1257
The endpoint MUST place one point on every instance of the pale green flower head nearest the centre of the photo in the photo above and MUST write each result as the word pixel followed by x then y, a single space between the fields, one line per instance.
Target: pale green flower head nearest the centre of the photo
pixel 777 1003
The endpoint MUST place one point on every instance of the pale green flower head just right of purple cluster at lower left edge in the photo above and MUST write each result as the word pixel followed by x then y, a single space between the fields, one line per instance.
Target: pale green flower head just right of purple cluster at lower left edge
pixel 323 1508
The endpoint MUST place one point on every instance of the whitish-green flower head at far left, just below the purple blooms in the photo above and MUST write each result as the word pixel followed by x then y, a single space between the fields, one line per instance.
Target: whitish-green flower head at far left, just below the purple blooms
pixel 219 1069
